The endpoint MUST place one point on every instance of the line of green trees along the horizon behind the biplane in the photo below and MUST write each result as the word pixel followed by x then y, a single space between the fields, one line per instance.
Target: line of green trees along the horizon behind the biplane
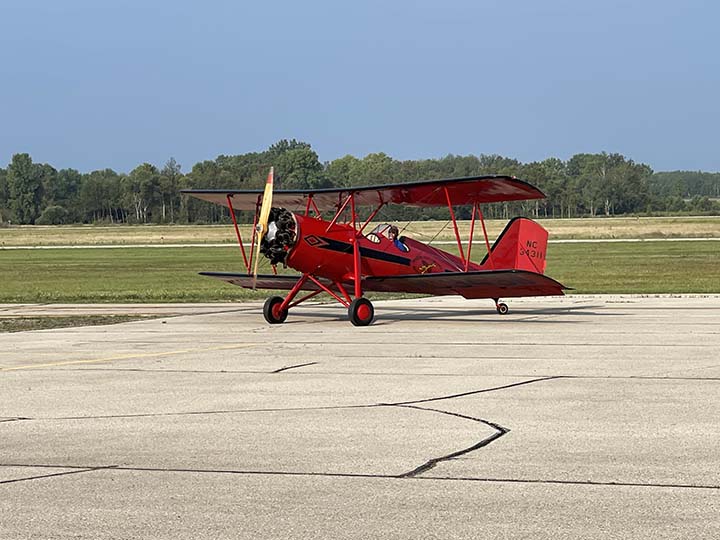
pixel 584 185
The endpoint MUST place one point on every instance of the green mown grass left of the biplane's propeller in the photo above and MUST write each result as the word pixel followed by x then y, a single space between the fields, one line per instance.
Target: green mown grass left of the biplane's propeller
pixel 119 275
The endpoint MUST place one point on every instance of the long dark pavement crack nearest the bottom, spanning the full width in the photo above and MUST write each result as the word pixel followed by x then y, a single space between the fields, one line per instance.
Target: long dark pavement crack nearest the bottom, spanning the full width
pixel 592 483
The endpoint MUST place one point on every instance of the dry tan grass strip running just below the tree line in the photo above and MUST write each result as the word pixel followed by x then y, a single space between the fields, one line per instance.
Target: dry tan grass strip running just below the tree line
pixel 617 227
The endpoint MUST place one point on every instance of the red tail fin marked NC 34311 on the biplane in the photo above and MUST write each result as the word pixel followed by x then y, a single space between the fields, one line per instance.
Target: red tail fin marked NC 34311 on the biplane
pixel 521 246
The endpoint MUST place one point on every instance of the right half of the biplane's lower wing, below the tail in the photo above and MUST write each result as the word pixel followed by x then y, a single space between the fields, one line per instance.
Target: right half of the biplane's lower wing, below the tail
pixel 482 284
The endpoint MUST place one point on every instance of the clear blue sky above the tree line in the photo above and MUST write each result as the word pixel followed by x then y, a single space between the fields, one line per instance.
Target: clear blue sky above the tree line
pixel 89 84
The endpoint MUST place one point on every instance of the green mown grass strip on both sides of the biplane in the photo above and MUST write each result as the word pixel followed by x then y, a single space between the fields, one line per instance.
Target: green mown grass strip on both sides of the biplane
pixel 170 274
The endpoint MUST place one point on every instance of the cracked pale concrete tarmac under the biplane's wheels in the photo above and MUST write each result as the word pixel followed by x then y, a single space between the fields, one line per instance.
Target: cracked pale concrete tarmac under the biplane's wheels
pixel 575 417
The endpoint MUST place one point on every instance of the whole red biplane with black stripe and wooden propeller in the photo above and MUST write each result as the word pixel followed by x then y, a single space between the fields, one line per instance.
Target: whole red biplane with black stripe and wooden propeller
pixel 340 258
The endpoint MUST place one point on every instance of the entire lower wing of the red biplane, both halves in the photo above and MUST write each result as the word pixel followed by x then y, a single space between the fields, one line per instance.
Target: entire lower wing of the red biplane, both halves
pixel 483 284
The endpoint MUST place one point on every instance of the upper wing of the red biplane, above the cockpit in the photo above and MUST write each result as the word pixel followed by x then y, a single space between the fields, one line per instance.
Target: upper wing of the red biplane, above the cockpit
pixel 470 190
